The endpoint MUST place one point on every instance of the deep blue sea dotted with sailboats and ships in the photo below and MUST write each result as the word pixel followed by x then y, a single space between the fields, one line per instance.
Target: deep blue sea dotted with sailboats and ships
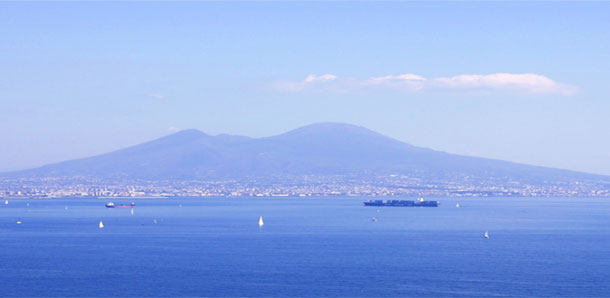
pixel 308 247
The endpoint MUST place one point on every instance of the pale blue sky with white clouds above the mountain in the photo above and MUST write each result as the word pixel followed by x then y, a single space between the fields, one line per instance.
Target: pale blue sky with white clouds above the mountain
pixel 527 82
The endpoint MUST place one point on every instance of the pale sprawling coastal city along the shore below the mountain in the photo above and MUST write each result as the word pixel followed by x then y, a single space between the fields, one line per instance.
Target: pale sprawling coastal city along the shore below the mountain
pixel 309 186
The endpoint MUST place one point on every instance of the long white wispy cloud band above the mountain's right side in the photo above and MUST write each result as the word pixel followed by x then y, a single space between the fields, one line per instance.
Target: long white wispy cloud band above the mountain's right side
pixel 498 82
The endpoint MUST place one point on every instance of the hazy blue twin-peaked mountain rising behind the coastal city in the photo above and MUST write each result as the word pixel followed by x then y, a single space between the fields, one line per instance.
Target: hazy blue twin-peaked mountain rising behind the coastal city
pixel 319 149
